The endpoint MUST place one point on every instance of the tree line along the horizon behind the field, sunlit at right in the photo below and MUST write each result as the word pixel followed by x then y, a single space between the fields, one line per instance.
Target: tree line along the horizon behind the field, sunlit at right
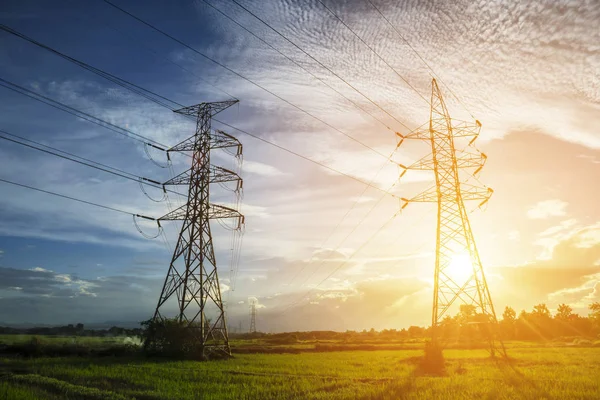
pixel 466 325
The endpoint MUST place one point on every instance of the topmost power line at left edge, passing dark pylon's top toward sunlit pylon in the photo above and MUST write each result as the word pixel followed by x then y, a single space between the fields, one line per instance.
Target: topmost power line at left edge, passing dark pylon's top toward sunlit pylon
pixel 128 85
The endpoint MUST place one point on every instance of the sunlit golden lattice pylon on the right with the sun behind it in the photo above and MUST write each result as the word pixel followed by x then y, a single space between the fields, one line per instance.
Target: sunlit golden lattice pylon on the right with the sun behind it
pixel 459 274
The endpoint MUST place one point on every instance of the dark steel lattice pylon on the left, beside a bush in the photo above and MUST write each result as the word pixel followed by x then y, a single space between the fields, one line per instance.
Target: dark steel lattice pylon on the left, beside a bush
pixel 192 278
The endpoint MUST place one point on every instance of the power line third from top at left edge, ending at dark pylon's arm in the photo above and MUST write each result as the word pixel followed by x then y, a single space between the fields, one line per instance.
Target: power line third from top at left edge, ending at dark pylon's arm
pixel 87 162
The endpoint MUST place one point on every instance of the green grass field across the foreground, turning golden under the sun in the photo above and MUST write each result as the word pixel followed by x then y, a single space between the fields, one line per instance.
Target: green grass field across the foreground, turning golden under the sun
pixel 533 373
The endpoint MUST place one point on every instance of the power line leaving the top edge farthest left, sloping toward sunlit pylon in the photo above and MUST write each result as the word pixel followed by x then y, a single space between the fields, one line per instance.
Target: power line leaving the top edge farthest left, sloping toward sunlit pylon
pixel 245 78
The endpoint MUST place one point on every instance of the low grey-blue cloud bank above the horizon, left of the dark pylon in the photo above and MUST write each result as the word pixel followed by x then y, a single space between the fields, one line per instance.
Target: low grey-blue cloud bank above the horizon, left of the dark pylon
pixel 47 297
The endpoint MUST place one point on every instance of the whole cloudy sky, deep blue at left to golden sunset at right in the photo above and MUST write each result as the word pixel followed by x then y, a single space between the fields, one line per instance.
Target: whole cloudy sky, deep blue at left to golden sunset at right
pixel 527 70
